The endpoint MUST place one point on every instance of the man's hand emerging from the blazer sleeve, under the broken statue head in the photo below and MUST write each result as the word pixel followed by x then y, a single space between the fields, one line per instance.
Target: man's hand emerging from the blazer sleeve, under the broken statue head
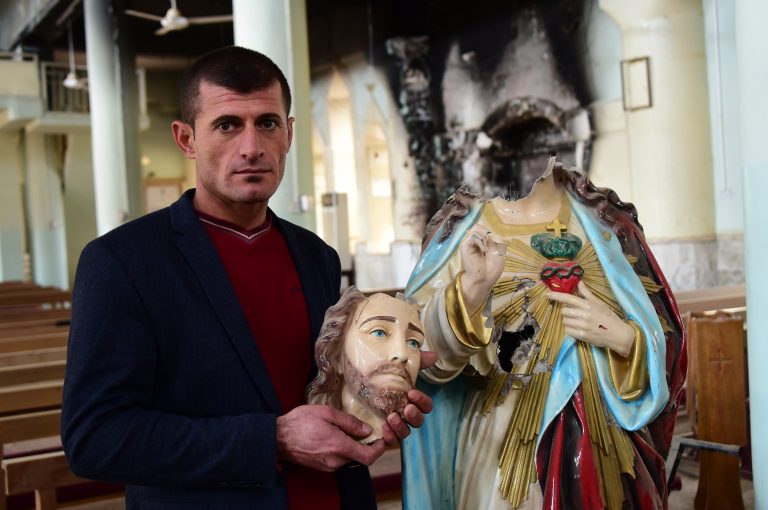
pixel 324 438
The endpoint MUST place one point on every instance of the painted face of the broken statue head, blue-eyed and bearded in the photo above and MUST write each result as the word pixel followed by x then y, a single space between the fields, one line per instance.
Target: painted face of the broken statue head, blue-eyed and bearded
pixel 381 356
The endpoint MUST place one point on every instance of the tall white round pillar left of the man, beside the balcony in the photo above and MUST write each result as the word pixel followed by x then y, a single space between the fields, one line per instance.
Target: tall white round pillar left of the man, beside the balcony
pixel 112 89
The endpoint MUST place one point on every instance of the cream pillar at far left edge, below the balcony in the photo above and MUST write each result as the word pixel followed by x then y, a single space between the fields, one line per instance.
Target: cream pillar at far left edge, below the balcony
pixel 11 206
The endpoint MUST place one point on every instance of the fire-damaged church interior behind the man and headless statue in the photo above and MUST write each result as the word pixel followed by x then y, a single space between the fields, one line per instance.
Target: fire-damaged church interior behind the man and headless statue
pixel 397 104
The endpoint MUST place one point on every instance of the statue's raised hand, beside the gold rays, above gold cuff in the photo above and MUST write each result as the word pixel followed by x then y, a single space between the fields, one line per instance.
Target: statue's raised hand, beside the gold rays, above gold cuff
pixel 483 262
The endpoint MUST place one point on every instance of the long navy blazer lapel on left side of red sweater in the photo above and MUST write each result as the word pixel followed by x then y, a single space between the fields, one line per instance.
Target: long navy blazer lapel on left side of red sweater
pixel 200 254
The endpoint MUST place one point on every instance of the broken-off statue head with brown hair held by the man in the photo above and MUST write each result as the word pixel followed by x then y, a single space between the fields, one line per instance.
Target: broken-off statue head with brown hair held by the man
pixel 368 357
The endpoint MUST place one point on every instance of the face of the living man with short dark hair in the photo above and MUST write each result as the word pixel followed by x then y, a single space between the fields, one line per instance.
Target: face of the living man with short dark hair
pixel 239 144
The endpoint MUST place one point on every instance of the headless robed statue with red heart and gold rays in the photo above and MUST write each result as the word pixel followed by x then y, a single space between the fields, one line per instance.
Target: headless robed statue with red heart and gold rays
pixel 560 354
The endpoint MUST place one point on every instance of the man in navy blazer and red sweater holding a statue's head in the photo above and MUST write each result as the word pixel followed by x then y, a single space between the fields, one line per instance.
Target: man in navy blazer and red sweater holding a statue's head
pixel 192 327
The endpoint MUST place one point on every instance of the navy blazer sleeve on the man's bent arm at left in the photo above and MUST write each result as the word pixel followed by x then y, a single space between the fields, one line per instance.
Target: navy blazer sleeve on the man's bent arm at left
pixel 110 431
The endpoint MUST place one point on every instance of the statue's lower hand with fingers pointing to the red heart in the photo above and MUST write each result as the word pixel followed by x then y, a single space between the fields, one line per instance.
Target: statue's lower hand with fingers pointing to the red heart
pixel 589 319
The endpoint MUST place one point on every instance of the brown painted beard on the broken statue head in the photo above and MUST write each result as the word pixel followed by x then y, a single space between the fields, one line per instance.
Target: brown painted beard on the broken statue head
pixel 382 399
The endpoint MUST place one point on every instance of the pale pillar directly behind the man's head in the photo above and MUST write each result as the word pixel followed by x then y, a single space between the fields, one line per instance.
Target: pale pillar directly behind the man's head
pixel 278 28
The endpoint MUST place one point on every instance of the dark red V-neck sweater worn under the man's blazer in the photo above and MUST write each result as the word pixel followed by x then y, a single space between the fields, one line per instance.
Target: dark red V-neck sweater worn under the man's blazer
pixel 268 287
